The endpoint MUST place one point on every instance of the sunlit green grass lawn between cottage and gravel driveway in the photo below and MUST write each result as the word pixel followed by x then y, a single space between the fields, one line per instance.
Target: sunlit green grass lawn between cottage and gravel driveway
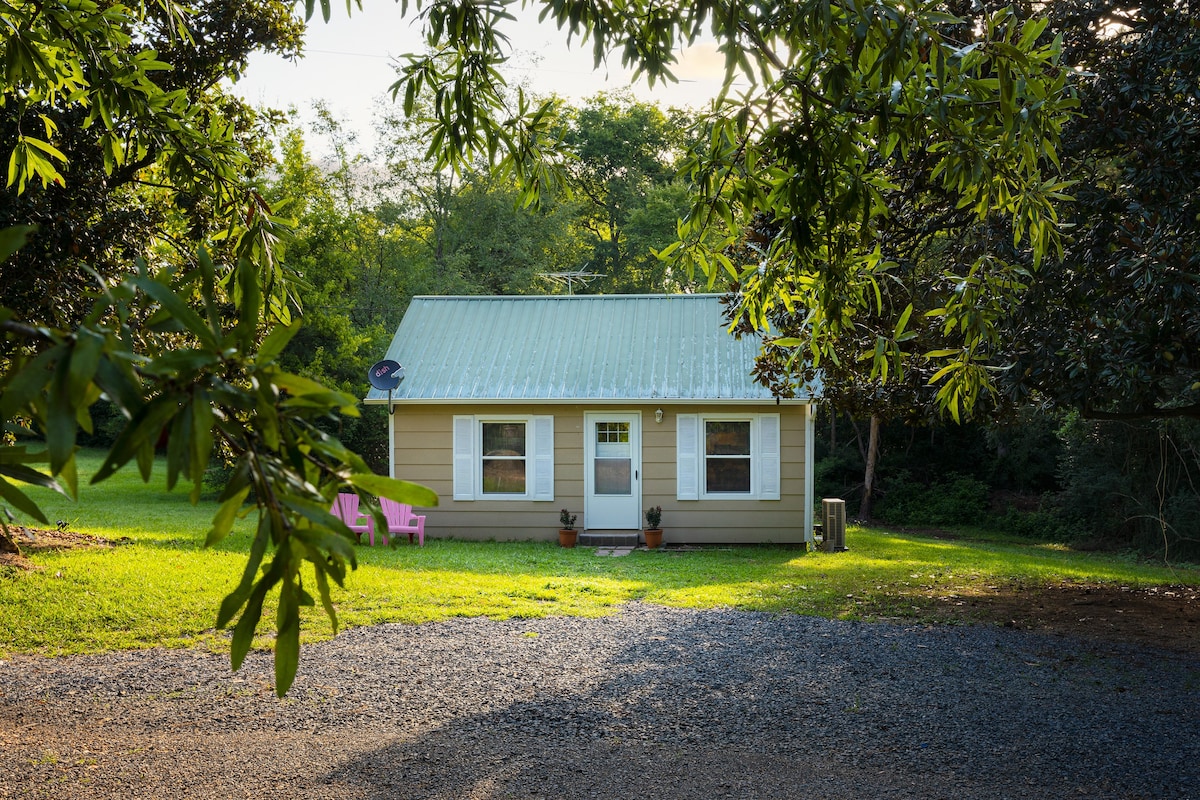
pixel 164 588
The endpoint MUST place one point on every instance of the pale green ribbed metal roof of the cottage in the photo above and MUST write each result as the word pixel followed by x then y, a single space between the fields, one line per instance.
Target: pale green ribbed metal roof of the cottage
pixel 601 348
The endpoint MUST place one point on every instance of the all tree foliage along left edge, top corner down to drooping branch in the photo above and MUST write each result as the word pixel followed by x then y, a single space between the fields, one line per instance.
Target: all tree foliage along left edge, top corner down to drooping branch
pixel 177 350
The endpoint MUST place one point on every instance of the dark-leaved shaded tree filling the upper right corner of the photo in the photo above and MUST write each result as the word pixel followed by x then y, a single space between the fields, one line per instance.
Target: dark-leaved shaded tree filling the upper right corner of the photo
pixel 1108 328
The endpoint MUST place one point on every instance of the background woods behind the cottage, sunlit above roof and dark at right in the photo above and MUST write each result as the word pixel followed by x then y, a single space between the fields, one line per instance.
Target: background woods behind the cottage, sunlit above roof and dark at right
pixel 373 231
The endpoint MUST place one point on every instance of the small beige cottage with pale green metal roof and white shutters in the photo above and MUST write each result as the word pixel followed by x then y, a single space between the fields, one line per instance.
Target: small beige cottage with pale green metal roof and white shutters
pixel 515 408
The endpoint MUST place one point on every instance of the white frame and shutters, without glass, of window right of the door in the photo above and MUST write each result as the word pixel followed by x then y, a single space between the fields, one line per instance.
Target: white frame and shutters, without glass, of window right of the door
pixel 765 459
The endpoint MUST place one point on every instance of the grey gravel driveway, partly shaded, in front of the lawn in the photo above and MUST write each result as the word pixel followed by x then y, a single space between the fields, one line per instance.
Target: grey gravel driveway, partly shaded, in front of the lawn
pixel 649 703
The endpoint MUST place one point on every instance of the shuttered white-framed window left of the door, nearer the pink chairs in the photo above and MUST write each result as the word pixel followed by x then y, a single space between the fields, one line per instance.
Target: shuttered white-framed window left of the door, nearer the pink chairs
pixel 503 458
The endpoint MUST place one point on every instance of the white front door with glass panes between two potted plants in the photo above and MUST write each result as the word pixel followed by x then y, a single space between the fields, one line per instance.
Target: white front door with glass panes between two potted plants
pixel 613 467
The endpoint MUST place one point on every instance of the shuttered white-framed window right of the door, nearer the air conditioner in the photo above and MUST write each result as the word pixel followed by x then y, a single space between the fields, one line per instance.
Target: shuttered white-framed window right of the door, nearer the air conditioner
pixel 728 458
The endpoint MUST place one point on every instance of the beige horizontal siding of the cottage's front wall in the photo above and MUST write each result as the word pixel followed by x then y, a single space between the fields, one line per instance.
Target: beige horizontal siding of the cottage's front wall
pixel 424 454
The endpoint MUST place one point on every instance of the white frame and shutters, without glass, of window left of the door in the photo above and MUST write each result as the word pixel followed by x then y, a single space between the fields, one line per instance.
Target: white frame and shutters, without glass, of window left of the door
pixel 469 459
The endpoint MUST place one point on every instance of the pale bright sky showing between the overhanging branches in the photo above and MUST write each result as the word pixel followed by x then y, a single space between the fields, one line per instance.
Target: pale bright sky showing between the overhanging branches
pixel 350 63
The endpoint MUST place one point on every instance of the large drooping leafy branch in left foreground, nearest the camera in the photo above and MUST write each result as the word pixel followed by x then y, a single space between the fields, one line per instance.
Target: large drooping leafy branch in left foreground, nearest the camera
pixel 202 386
